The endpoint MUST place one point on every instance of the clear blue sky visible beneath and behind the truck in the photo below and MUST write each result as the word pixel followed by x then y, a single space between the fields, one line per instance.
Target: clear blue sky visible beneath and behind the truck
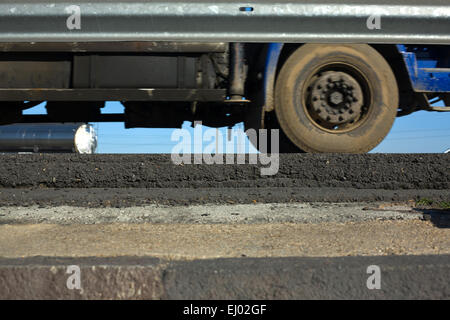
pixel 420 132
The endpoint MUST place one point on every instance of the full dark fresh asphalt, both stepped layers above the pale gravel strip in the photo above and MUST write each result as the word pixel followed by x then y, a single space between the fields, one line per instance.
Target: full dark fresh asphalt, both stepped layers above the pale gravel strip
pixel 130 180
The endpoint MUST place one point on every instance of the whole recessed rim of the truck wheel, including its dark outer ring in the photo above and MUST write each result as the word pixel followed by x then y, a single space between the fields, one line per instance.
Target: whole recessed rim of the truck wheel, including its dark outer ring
pixel 337 98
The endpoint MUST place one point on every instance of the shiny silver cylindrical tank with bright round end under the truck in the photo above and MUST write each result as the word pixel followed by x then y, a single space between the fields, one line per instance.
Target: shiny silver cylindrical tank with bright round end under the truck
pixel 48 137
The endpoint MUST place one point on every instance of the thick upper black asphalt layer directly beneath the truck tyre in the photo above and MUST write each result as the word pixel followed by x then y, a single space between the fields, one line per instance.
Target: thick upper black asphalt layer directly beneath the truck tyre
pixel 369 171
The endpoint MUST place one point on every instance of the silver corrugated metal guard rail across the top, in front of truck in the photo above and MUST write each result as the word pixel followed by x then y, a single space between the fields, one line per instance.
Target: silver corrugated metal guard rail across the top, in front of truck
pixel 332 21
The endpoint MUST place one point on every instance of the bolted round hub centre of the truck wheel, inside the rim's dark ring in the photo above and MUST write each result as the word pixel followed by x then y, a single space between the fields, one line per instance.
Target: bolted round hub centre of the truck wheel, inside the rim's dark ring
pixel 336 98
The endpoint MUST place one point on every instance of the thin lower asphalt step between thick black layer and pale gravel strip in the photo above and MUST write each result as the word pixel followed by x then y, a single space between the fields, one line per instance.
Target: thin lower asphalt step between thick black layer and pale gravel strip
pixel 128 197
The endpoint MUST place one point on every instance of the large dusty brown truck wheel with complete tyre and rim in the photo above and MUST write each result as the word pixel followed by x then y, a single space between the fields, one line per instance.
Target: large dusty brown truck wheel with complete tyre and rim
pixel 336 98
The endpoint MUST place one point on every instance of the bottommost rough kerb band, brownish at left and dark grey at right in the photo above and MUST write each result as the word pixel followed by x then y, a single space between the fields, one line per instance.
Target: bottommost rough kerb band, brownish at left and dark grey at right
pixel 402 277
